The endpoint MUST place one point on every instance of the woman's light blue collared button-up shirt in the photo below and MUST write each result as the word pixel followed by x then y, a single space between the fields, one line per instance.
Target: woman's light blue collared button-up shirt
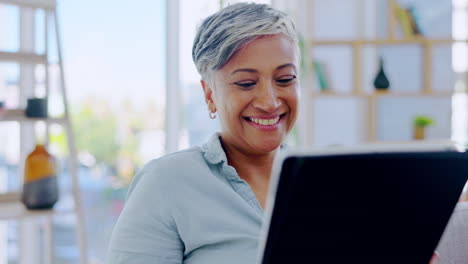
pixel 188 207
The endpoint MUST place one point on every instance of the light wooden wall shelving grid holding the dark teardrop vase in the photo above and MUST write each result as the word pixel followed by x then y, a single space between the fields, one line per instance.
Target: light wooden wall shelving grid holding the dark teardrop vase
pixel 356 47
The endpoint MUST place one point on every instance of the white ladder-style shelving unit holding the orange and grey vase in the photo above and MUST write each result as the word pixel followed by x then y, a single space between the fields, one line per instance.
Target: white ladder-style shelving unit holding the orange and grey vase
pixel 11 208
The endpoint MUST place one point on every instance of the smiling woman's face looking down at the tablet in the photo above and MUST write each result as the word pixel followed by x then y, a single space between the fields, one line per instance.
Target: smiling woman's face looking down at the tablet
pixel 256 94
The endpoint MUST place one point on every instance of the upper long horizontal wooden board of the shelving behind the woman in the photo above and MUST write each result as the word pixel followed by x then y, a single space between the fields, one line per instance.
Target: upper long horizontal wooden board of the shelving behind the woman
pixel 415 40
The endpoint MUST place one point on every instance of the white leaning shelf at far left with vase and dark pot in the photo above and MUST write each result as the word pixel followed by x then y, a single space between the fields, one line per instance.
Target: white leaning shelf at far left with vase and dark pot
pixel 13 209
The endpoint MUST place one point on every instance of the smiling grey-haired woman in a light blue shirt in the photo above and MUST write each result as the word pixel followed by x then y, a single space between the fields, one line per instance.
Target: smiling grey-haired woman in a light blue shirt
pixel 205 204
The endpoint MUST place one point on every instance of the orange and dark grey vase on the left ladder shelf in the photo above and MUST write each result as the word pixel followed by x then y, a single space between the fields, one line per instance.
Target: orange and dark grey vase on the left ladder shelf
pixel 40 187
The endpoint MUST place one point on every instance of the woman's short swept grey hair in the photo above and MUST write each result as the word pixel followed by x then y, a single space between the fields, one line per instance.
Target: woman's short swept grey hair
pixel 232 28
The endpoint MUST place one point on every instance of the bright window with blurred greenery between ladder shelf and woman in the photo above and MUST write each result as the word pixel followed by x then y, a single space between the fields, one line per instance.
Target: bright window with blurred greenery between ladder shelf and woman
pixel 114 54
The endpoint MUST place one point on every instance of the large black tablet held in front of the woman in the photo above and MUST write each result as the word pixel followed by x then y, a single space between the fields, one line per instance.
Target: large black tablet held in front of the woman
pixel 373 204
